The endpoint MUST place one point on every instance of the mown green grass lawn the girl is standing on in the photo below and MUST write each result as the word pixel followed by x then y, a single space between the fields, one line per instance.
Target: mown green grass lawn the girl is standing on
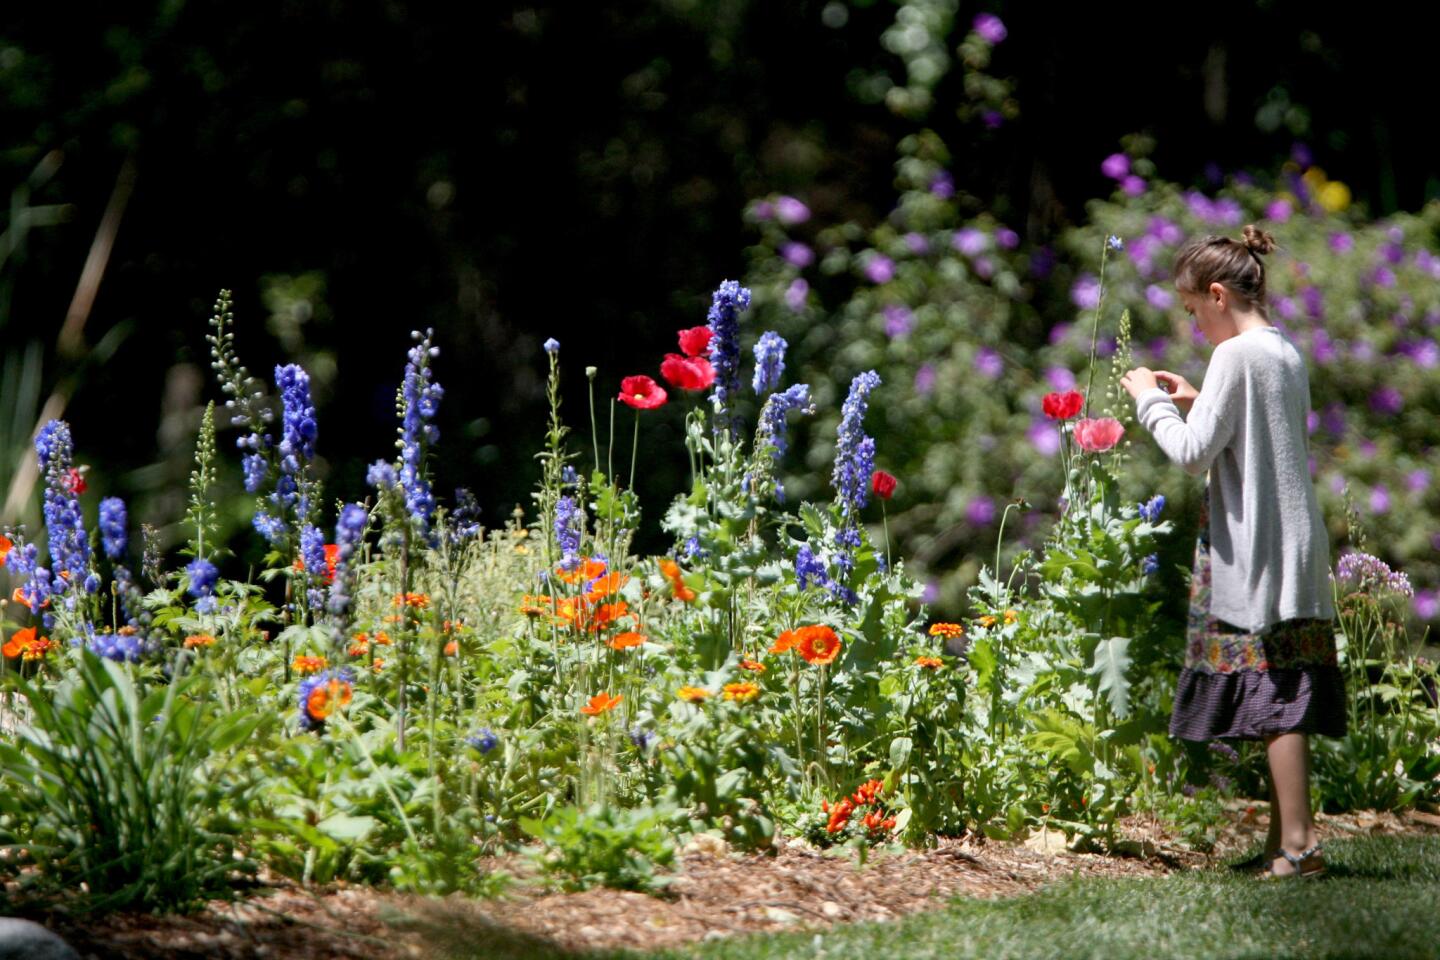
pixel 1380 900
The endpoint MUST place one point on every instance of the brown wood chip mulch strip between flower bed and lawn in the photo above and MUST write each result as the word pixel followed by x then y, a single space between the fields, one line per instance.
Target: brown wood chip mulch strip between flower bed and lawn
pixel 715 895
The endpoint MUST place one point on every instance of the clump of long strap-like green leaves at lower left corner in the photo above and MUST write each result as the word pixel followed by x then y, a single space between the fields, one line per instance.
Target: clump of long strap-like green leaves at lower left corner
pixel 123 785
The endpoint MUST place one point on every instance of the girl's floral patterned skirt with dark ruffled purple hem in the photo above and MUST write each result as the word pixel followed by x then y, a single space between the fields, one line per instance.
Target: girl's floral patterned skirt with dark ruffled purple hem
pixel 1246 686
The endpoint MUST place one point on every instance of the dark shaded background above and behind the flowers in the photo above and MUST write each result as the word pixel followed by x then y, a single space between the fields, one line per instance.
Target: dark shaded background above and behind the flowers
pixel 508 173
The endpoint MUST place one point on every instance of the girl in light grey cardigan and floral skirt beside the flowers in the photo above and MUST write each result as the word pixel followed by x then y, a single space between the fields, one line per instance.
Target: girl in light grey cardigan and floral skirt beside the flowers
pixel 1261 656
